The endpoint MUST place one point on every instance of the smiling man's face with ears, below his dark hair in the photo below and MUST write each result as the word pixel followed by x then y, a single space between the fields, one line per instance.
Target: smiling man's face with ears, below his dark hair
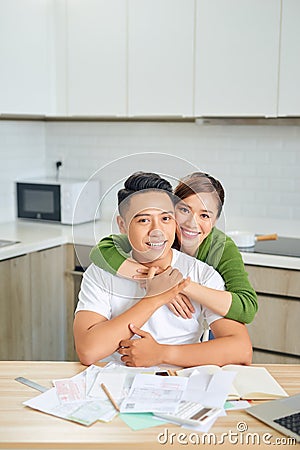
pixel 150 225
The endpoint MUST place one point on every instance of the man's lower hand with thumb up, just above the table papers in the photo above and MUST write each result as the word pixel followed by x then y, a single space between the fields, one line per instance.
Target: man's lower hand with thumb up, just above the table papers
pixel 143 352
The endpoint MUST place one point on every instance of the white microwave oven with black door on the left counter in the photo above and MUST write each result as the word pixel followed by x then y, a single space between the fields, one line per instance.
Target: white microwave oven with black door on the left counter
pixel 64 201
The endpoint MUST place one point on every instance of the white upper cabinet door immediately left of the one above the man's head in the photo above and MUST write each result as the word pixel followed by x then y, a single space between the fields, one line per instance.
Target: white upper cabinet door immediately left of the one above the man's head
pixel 96 57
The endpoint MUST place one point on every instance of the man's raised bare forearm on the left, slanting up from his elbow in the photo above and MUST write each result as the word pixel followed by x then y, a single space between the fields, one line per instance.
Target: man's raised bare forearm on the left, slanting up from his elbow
pixel 103 338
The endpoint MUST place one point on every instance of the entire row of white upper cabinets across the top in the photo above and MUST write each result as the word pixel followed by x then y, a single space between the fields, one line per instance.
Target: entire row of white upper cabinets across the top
pixel 150 58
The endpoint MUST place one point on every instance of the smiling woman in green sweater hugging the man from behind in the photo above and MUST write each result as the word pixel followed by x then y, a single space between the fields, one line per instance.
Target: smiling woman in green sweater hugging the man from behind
pixel 199 202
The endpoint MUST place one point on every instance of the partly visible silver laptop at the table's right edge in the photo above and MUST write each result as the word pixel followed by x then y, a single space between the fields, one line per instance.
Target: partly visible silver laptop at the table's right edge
pixel 283 415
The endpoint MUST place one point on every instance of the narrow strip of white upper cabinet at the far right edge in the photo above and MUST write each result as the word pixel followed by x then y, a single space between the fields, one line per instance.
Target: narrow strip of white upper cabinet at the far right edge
pixel 289 75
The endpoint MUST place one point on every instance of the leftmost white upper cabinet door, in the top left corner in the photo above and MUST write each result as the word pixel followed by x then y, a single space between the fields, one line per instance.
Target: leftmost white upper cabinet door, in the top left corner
pixel 25 57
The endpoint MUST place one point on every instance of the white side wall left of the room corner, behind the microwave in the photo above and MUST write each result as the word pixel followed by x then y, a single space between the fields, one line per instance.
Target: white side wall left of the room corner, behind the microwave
pixel 22 155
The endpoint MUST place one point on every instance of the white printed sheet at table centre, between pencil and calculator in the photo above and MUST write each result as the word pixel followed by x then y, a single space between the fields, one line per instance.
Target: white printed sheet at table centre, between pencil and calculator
pixel 152 393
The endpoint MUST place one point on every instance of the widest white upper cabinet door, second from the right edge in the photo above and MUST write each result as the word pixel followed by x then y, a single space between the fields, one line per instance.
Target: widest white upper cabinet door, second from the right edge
pixel 237 57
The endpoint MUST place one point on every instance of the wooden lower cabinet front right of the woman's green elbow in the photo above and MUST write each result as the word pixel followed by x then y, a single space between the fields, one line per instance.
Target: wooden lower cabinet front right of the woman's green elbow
pixel 274 331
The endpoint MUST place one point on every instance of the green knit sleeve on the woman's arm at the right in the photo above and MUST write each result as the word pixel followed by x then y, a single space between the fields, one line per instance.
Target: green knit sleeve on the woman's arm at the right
pixel 224 256
